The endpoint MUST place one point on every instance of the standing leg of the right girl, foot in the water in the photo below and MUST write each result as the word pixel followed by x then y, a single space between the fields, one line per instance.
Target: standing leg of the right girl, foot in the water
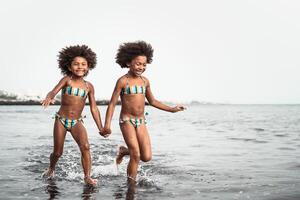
pixel 129 135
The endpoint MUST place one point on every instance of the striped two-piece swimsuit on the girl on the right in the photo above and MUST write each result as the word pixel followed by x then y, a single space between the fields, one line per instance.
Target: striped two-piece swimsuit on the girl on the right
pixel 132 90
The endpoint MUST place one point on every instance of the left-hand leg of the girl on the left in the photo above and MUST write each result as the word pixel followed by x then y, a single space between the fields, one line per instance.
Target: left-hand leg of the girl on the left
pixel 59 134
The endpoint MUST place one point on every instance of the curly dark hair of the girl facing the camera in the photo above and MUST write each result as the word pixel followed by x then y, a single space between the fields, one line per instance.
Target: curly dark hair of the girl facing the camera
pixel 67 54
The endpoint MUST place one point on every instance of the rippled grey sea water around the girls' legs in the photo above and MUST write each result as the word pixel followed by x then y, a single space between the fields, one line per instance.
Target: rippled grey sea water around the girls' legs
pixel 205 152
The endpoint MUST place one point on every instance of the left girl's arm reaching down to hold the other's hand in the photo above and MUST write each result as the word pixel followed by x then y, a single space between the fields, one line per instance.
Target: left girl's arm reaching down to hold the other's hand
pixel 93 107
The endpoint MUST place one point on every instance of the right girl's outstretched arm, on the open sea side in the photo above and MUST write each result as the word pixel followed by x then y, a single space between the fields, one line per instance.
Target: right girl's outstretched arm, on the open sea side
pixel 157 104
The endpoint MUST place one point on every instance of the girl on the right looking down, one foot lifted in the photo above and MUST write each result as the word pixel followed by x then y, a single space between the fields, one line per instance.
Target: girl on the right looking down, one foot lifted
pixel 133 88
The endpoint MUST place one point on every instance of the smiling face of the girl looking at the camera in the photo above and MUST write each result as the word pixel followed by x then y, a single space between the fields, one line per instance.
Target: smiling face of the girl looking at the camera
pixel 79 67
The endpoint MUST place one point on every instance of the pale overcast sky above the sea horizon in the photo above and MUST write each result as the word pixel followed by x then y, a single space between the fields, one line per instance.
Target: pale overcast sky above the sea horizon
pixel 236 51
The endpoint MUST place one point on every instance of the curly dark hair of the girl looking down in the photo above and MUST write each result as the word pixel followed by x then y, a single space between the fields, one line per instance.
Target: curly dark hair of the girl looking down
pixel 130 50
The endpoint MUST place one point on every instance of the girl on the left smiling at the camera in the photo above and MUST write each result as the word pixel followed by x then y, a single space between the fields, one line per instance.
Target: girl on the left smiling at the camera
pixel 75 63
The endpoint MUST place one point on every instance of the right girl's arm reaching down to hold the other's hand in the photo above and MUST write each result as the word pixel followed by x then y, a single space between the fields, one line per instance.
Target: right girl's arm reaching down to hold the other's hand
pixel 112 103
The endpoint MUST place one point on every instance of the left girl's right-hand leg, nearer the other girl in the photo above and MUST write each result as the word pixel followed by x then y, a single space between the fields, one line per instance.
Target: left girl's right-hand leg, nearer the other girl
pixel 80 136
